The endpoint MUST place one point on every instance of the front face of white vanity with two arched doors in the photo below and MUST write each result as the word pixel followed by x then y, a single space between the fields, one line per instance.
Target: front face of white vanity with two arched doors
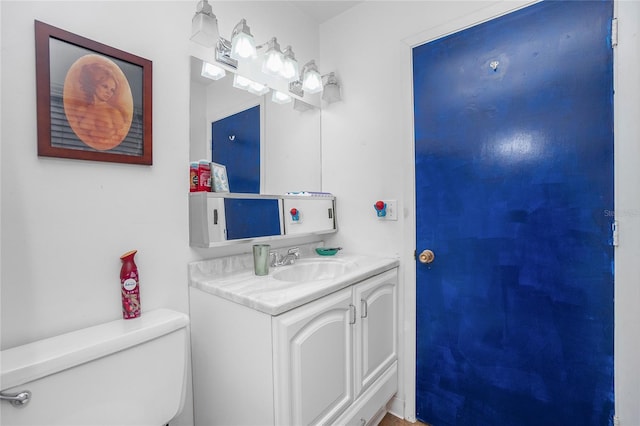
pixel 330 351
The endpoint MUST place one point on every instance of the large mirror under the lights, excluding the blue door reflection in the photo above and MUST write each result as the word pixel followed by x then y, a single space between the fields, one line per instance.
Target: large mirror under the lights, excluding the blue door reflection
pixel 290 149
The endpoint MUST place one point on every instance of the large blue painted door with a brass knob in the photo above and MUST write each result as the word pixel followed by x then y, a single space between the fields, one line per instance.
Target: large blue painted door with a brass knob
pixel 514 180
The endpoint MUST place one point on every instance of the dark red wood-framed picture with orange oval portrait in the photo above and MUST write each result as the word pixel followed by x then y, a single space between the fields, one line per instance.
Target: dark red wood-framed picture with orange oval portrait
pixel 94 101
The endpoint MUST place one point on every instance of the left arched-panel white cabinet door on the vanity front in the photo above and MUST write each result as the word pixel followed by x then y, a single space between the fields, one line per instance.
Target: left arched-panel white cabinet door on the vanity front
pixel 313 360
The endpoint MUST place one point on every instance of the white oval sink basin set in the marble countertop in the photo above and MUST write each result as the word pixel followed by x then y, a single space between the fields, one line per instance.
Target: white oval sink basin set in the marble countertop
pixel 313 270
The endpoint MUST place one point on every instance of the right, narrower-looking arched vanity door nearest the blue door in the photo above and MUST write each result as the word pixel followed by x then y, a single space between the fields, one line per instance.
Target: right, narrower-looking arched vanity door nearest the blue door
pixel 376 338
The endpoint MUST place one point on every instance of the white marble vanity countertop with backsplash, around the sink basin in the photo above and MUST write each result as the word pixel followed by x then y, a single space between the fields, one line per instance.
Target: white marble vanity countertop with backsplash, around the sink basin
pixel 234 280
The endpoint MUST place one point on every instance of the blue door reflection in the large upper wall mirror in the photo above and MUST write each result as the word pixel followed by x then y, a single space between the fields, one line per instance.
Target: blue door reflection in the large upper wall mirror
pixel 235 143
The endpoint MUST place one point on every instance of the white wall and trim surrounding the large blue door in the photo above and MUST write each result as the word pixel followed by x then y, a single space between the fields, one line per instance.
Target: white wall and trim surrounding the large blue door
pixel 367 145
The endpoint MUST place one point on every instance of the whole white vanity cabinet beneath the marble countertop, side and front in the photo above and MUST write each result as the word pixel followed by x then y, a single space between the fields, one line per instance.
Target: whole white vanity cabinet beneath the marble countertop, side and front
pixel 332 361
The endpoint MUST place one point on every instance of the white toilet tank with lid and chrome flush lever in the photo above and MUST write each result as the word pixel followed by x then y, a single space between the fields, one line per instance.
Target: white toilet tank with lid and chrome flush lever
pixel 124 372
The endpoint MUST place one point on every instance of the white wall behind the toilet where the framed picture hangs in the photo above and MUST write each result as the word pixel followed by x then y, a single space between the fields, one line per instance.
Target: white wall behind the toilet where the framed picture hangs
pixel 66 222
